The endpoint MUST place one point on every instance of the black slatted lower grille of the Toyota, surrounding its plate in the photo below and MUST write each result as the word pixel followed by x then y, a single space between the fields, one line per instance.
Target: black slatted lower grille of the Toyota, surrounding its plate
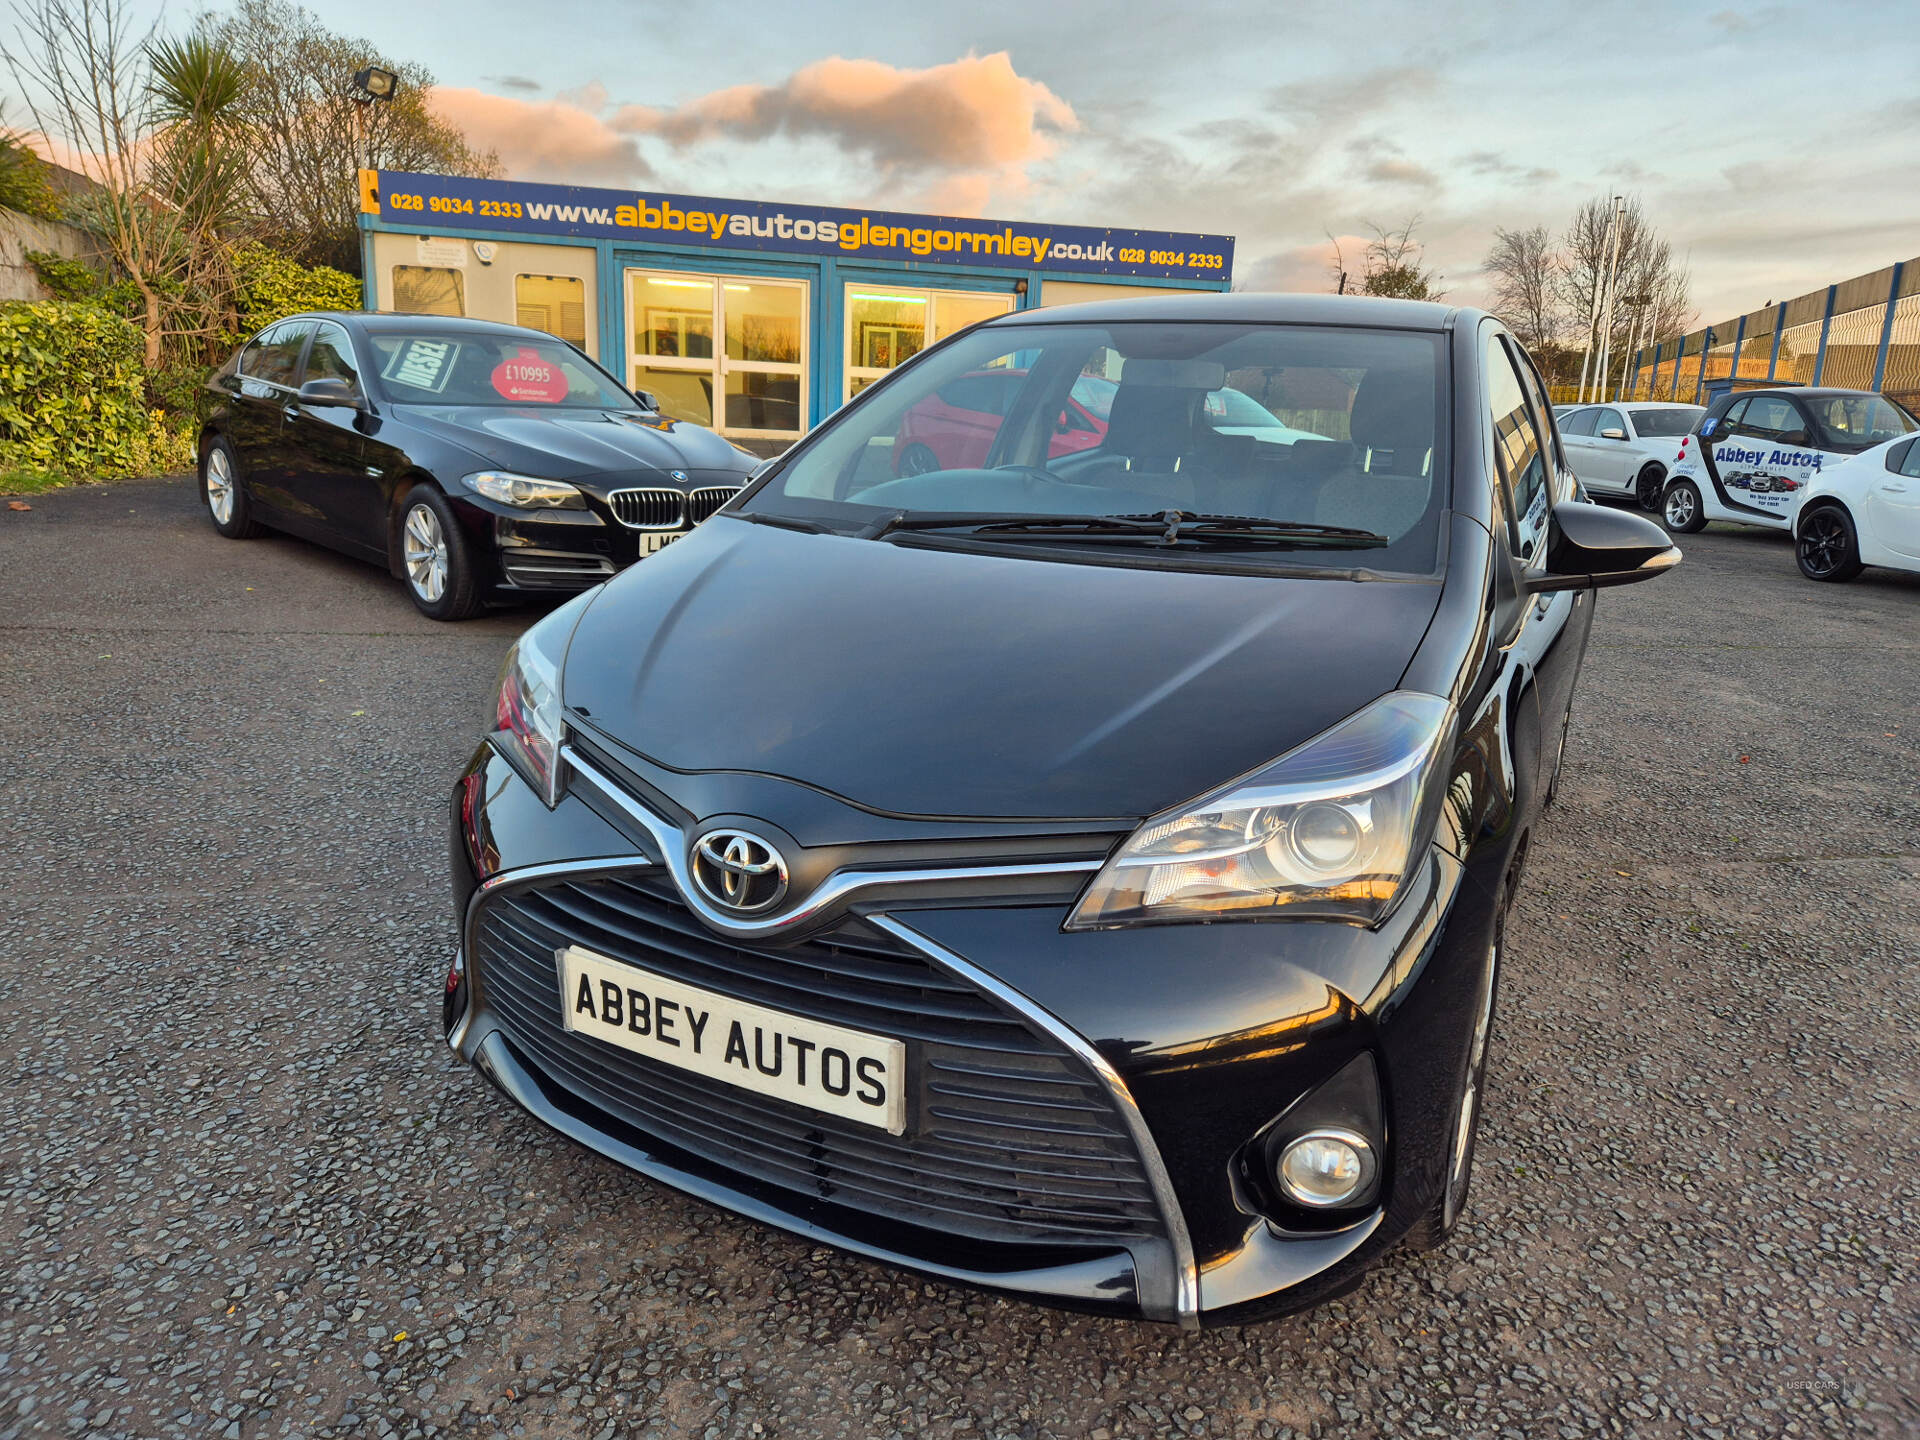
pixel 1009 1136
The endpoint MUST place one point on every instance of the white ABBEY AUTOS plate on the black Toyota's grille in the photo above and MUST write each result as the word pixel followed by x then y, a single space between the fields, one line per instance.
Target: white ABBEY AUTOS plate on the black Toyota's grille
pixel 842 1072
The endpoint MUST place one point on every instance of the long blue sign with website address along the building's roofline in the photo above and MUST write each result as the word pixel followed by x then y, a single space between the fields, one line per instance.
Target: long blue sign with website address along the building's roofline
pixel 448 203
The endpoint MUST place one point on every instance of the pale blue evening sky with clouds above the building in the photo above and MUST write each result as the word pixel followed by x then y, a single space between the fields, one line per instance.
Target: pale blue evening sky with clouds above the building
pixel 1777 147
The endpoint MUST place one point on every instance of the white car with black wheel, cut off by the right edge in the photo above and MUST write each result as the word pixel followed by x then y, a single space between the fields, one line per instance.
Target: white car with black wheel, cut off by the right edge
pixel 1861 512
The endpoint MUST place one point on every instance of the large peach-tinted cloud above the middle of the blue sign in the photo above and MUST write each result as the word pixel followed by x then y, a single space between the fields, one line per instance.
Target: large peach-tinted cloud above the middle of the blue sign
pixel 972 118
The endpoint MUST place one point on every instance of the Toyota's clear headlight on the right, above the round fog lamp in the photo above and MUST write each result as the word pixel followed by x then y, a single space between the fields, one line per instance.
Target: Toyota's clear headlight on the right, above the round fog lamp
pixel 1330 830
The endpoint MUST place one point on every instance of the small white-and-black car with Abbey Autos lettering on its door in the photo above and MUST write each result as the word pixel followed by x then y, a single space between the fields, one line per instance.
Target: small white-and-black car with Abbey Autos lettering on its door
pixel 1758 452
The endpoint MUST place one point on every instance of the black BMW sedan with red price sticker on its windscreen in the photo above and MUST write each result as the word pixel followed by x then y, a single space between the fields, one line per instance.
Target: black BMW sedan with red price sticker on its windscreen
pixel 471 460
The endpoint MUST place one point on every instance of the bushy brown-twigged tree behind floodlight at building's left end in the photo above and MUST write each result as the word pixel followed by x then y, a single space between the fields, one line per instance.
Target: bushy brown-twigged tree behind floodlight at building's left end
pixel 310 135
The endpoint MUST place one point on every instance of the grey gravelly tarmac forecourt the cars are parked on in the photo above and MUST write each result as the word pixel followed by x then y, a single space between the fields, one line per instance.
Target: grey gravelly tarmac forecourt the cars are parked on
pixel 245 1191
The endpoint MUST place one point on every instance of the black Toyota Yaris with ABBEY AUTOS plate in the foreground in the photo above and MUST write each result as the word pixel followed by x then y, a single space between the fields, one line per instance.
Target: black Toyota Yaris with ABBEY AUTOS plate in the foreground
pixel 1082 875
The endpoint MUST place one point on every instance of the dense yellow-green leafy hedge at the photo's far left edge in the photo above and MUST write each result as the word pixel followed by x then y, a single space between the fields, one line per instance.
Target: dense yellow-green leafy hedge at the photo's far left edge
pixel 74 395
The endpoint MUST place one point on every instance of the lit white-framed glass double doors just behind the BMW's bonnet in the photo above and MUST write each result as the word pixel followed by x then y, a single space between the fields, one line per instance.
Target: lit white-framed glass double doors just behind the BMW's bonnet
pixel 748 387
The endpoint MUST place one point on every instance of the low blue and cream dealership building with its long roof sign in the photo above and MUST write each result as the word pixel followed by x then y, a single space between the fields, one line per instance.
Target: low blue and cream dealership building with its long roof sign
pixel 748 316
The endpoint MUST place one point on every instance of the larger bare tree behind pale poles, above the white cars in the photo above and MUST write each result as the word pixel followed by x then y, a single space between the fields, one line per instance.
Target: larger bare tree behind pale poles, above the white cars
pixel 1652 293
